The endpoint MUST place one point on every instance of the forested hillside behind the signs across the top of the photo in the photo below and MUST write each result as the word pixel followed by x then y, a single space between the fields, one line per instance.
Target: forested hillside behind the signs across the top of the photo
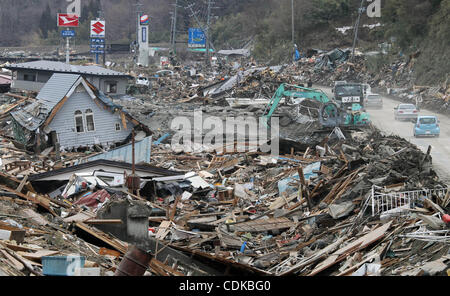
pixel 410 25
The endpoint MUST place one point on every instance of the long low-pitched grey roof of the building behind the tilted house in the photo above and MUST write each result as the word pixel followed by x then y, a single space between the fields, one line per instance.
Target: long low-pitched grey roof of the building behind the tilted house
pixel 60 67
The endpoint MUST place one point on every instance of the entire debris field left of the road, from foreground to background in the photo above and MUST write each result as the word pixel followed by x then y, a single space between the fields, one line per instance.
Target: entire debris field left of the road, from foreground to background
pixel 339 202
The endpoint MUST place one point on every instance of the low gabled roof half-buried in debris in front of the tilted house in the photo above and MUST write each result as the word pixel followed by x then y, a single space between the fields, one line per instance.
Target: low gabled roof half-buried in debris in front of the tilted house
pixel 103 162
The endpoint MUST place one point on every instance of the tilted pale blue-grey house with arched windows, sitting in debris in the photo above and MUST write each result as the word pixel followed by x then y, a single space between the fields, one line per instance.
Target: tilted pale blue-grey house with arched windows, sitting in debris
pixel 70 111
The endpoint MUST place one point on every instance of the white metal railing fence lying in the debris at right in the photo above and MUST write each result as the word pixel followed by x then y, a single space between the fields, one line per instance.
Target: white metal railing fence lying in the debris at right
pixel 383 202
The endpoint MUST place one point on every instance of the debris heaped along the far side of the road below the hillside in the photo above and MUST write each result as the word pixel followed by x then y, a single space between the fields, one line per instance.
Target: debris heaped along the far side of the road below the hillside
pixel 396 79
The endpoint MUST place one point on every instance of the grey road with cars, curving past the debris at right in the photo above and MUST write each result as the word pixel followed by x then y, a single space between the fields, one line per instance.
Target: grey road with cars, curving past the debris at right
pixel 384 120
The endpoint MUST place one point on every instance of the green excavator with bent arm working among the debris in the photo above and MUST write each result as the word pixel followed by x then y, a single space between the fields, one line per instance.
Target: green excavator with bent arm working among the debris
pixel 331 113
